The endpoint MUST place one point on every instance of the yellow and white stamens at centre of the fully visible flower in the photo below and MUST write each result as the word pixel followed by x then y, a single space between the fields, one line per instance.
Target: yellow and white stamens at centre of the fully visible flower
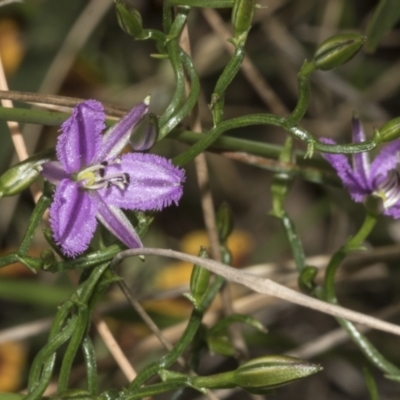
pixel 94 177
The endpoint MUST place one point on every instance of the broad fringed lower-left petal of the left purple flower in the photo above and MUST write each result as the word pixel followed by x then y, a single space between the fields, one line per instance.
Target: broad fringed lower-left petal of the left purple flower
pixel 72 218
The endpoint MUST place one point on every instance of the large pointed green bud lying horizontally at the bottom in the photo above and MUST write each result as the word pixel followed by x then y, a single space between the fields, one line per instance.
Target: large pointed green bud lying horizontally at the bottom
pixel 268 372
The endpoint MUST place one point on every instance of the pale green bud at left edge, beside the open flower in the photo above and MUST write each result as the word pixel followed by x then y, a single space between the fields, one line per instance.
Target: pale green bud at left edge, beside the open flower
pixel 22 175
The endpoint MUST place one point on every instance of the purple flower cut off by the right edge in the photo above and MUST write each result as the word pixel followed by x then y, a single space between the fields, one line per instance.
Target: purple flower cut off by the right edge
pixel 380 178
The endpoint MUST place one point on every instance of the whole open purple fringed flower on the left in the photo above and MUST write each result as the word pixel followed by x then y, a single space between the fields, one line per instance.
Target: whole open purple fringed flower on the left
pixel 94 182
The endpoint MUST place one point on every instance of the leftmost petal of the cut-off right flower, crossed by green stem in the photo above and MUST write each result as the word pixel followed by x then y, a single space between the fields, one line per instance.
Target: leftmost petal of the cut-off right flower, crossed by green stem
pixel 350 179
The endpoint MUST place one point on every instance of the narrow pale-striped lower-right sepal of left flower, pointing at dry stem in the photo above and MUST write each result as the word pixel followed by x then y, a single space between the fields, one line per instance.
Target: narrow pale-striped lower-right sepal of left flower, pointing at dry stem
pixel 117 223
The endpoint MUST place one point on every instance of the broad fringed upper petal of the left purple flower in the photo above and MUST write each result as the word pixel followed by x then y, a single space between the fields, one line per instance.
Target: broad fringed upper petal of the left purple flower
pixel 80 141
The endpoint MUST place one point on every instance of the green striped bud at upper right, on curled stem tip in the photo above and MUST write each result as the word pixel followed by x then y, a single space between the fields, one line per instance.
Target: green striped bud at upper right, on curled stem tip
pixel 337 50
